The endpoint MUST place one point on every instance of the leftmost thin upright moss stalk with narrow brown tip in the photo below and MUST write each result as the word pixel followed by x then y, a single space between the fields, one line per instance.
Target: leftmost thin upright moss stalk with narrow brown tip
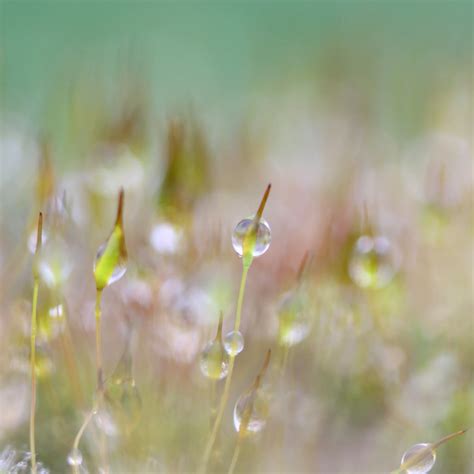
pixel 39 236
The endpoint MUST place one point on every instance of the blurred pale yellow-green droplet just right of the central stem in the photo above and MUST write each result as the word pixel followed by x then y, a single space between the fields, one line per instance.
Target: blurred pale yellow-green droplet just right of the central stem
pixel 294 315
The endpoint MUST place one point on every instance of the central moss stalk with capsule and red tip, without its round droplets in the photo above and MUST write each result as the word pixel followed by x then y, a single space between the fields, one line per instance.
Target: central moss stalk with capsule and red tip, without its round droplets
pixel 248 247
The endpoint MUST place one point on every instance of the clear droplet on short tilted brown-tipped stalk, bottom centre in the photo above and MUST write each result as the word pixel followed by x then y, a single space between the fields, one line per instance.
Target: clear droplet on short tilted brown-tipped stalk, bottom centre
pixel 252 409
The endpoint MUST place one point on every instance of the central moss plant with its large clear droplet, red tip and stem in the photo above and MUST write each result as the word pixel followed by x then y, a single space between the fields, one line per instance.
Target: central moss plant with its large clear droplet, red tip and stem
pixel 246 240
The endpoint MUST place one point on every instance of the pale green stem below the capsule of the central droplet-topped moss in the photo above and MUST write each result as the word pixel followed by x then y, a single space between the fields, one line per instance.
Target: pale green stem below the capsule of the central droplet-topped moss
pixel 225 393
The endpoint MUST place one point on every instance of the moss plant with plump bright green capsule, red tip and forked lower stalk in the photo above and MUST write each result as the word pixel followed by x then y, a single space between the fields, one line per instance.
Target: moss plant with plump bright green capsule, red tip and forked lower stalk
pixel 110 266
